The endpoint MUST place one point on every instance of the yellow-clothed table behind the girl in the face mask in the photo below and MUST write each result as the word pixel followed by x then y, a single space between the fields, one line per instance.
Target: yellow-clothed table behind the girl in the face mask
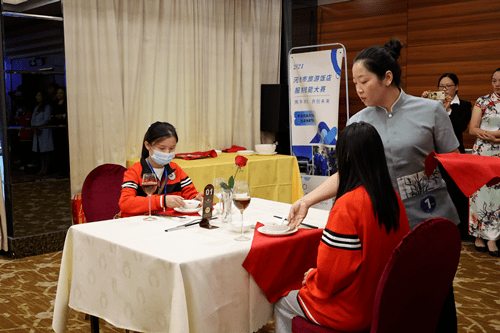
pixel 269 176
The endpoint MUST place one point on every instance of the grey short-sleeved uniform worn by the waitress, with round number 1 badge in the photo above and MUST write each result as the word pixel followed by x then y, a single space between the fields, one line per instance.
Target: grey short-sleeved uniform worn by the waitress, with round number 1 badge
pixel 415 127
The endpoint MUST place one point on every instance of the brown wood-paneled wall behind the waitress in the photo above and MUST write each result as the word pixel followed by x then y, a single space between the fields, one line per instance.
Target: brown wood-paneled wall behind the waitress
pixel 449 36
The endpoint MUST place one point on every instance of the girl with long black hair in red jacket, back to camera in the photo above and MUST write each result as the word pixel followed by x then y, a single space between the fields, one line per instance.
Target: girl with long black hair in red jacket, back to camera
pixel 366 223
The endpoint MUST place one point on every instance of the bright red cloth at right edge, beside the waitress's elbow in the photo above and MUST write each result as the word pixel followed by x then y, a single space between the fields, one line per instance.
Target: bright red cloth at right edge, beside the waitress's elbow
pixel 470 172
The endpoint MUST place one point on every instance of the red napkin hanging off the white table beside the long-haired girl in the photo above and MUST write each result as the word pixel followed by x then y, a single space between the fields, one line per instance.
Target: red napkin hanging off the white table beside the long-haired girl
pixel 278 264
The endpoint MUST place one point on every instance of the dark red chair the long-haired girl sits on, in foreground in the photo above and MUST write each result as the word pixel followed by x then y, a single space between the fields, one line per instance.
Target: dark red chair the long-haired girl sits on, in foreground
pixel 414 283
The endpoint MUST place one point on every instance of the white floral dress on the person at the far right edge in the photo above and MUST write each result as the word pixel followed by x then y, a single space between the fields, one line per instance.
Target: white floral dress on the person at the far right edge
pixel 484 217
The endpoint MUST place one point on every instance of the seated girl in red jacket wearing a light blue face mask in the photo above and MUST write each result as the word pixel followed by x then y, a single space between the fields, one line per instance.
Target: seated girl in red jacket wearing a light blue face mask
pixel 158 151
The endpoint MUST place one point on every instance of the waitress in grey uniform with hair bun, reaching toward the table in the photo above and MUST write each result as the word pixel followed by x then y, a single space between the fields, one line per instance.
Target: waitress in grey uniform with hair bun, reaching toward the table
pixel 410 128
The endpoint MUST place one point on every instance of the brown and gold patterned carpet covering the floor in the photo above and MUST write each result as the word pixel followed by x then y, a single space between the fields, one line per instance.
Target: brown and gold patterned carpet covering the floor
pixel 28 287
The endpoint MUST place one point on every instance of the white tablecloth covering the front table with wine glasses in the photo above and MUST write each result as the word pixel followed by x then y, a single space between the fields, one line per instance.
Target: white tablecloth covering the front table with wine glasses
pixel 135 275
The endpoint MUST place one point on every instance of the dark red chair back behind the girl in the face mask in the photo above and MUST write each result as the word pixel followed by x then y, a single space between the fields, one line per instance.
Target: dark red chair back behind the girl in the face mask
pixel 101 192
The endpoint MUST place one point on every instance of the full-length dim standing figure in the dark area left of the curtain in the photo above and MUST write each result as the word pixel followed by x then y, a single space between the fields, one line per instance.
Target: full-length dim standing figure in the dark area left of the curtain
pixel 42 139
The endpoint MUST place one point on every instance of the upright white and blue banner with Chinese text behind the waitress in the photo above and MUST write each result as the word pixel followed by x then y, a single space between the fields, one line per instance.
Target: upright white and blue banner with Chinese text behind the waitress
pixel 314 111
